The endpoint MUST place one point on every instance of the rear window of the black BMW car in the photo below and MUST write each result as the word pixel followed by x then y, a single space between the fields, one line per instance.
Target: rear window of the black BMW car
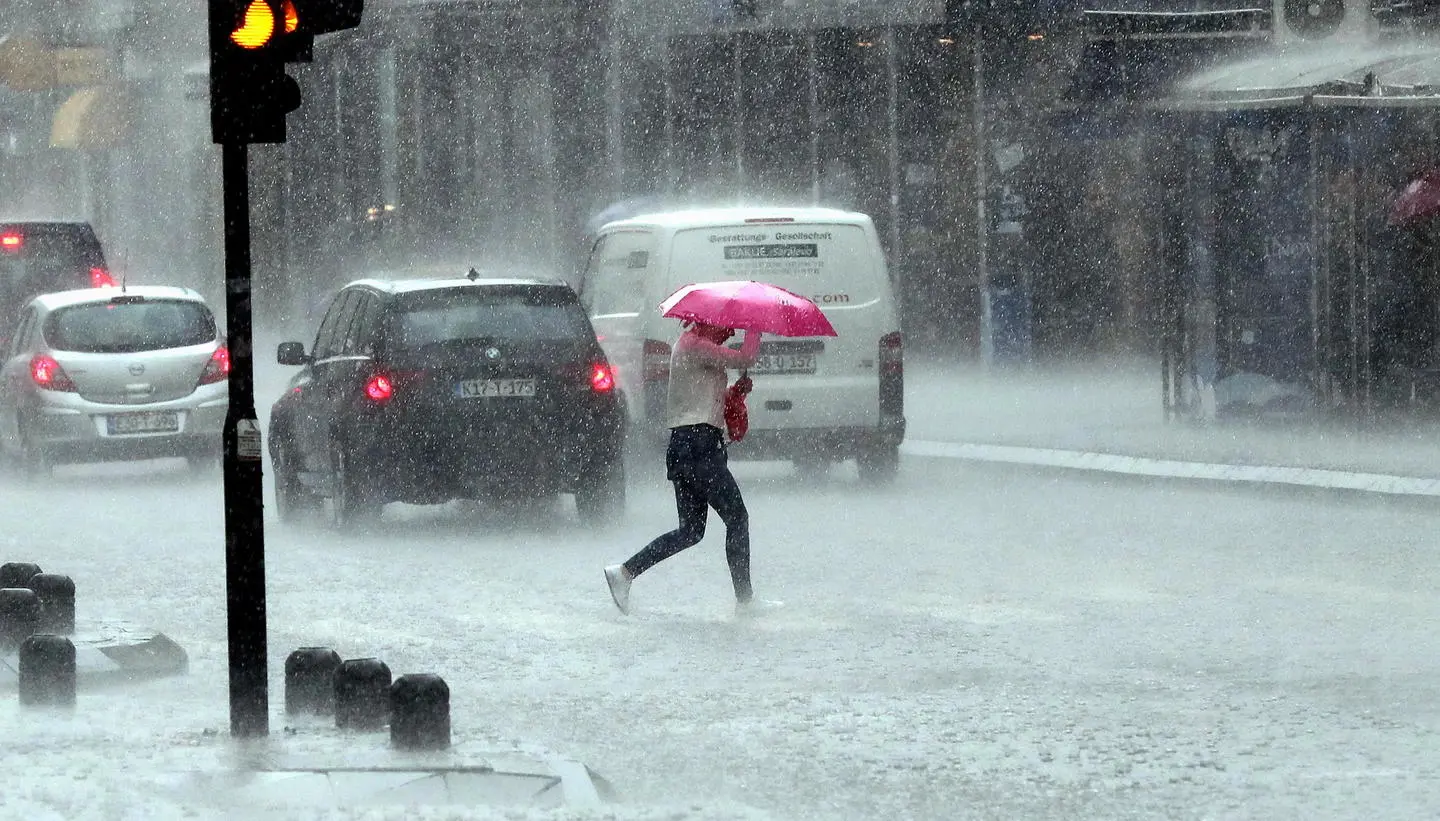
pixel 521 315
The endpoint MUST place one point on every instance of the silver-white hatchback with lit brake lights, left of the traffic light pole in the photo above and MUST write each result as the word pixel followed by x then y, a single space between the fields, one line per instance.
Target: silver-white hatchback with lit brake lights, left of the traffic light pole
pixel 114 374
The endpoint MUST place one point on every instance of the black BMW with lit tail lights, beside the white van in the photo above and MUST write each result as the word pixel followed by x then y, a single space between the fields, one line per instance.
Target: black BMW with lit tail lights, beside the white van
pixel 426 391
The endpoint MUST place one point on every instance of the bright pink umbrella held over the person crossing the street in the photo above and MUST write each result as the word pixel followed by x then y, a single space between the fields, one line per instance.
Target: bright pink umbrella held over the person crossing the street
pixel 748 306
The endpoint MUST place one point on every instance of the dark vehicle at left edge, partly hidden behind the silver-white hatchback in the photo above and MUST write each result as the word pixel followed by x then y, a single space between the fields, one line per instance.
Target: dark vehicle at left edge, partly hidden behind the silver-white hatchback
pixel 44 259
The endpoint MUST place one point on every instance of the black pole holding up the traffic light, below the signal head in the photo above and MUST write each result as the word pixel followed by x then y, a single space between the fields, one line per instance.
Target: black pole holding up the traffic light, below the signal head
pixel 244 505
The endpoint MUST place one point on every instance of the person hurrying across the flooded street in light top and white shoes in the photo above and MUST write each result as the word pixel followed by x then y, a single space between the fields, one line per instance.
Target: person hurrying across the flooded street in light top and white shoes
pixel 696 460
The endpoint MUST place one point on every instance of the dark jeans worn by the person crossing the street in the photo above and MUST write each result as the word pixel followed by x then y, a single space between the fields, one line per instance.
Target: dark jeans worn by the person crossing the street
pixel 699 467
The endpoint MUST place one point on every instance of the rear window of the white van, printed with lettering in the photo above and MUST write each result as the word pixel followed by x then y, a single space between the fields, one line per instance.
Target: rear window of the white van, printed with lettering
pixel 832 264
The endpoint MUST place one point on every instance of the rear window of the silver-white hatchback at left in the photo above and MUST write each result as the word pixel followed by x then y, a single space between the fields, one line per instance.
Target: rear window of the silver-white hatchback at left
pixel 130 328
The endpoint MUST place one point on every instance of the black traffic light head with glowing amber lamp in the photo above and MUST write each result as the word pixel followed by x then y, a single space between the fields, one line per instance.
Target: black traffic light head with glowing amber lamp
pixel 251 41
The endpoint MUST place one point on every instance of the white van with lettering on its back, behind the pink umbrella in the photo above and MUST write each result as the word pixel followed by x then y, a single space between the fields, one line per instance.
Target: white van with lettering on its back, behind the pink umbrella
pixel 817 400
